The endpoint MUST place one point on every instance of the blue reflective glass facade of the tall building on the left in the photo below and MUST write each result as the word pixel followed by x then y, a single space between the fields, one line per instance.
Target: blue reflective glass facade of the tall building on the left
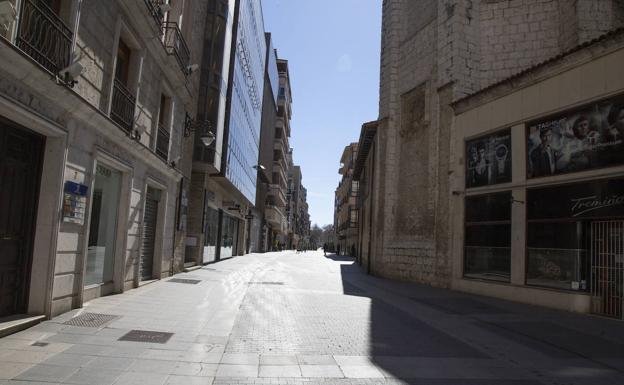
pixel 245 111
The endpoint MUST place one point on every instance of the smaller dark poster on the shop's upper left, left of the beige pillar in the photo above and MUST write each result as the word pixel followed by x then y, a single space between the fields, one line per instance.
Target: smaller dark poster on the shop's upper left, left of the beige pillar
pixel 489 159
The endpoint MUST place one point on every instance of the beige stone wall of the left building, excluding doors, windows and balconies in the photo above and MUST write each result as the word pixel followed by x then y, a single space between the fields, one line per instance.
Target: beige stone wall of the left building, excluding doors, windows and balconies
pixel 86 136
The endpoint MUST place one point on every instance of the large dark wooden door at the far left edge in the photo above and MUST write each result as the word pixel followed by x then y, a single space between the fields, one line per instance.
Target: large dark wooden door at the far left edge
pixel 21 154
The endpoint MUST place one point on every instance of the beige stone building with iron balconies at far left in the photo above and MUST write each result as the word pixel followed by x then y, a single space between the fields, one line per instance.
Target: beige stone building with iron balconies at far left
pixel 94 97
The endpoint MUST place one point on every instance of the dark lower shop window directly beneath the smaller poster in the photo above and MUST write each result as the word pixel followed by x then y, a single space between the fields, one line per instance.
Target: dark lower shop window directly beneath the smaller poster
pixel 487 238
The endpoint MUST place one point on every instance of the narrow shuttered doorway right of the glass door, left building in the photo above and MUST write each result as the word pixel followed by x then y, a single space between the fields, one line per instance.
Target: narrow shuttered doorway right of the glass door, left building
pixel 150 220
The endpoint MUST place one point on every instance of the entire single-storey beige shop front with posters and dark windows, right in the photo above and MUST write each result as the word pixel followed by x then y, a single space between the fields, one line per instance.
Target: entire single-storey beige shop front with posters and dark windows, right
pixel 538 185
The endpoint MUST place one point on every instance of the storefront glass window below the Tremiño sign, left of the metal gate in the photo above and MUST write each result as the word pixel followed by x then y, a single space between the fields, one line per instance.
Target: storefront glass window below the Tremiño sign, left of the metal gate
pixel 556 256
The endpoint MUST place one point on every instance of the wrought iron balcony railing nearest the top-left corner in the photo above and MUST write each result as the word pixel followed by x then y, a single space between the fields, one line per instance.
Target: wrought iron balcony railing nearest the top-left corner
pixel 44 36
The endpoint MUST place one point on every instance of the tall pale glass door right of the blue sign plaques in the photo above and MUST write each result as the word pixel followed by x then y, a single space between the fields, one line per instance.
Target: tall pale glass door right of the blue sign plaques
pixel 103 226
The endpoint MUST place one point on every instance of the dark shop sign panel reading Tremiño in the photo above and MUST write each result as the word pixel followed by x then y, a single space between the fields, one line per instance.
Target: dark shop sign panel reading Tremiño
pixel 602 199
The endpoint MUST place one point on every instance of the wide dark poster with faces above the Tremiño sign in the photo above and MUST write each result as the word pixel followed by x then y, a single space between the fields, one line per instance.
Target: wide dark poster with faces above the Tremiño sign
pixel 586 138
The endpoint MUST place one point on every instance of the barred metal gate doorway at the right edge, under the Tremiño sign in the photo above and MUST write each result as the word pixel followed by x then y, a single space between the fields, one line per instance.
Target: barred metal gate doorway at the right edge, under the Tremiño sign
pixel 607 267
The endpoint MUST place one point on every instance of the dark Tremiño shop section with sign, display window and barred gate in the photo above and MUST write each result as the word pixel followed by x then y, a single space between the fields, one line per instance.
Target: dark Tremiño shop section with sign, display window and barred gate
pixel 575 241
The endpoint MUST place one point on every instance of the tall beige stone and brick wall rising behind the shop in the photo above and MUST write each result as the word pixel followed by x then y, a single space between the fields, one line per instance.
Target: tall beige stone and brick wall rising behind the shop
pixel 434 53
